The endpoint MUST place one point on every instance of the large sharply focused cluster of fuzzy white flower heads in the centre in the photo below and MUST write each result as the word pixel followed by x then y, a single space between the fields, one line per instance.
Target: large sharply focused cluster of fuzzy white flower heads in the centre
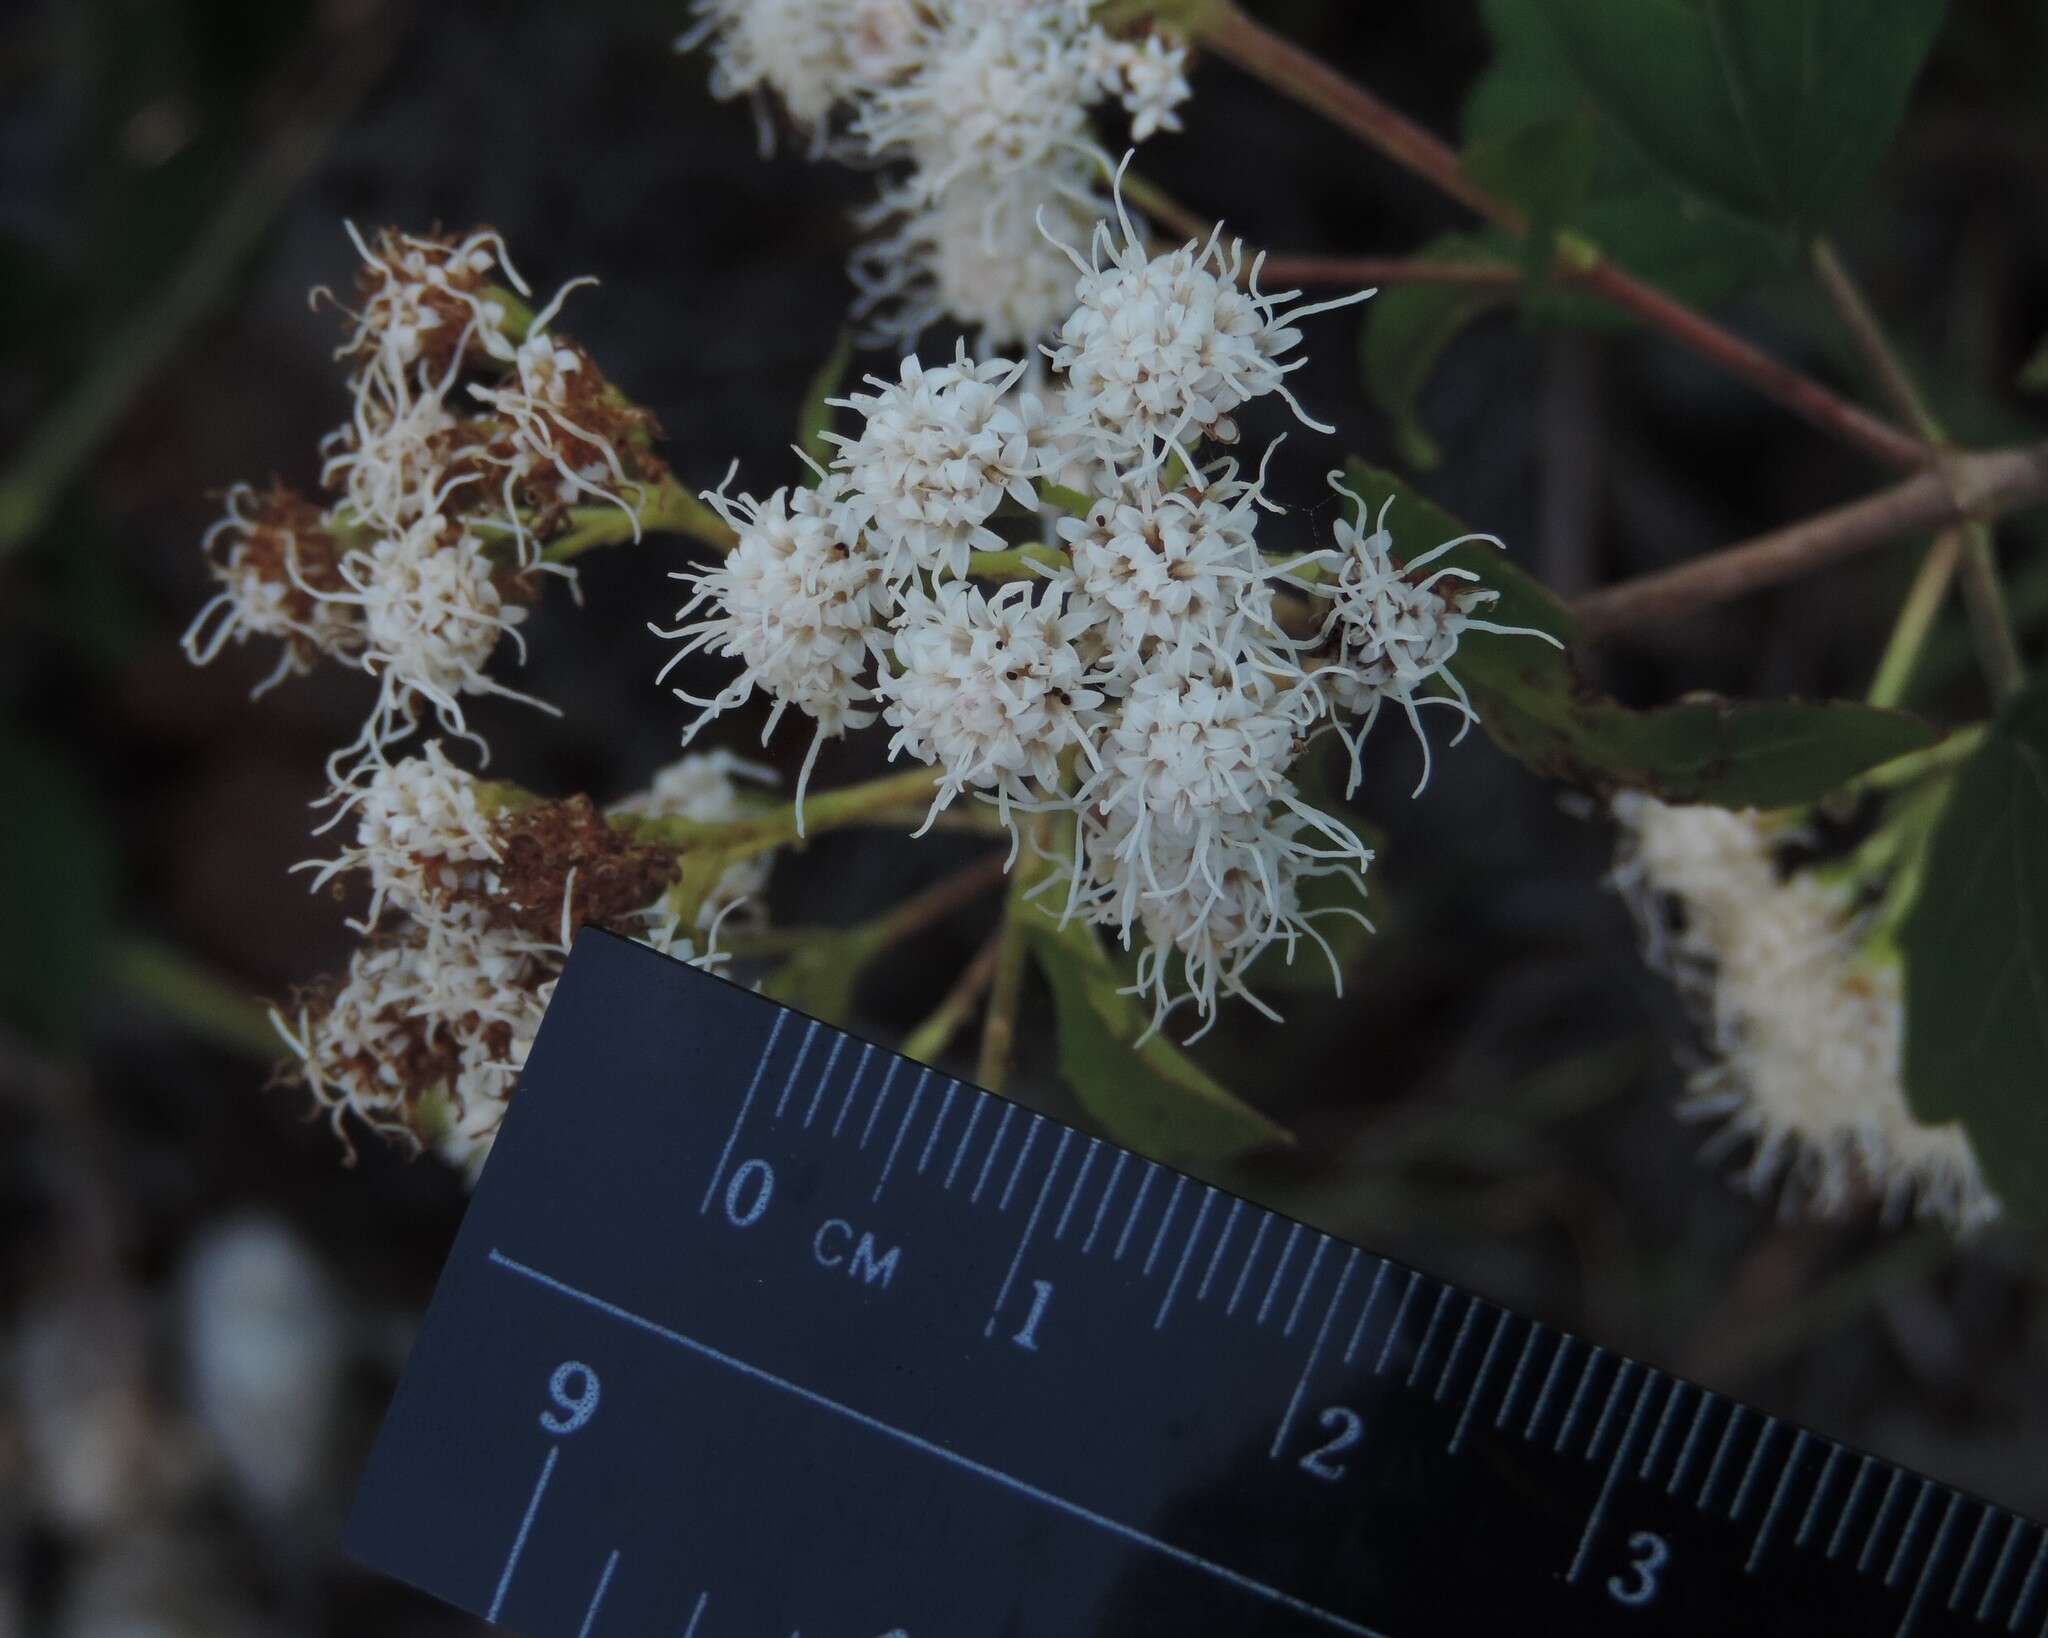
pixel 1144 689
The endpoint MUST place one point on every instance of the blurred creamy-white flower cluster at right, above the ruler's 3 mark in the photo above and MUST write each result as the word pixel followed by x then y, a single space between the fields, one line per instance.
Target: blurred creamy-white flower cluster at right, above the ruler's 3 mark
pixel 1805 1023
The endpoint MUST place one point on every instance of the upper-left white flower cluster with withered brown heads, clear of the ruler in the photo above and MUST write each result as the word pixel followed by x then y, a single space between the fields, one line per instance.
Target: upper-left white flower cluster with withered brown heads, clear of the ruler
pixel 472 431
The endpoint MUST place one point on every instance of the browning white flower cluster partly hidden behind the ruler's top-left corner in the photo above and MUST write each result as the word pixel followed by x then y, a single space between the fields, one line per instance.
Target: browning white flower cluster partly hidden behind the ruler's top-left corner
pixel 427 1033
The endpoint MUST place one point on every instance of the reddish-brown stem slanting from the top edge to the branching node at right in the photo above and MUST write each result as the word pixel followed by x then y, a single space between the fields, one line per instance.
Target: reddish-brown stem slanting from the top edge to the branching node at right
pixel 1310 81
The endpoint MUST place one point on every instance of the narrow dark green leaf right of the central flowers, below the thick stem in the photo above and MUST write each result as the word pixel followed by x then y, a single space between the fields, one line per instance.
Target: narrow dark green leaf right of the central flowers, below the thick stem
pixel 1537 707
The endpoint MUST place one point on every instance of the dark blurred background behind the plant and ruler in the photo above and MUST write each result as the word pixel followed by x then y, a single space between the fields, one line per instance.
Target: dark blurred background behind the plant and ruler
pixel 202 1309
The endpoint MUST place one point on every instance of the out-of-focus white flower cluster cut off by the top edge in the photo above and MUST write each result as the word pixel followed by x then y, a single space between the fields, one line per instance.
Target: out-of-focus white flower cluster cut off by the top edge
pixel 982 114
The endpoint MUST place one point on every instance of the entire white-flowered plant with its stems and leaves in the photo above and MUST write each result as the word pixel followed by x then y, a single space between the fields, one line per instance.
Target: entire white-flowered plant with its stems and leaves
pixel 1046 568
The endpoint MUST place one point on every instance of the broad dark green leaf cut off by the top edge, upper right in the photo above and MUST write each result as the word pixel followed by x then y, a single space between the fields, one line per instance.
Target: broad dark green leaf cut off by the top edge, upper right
pixel 1773 110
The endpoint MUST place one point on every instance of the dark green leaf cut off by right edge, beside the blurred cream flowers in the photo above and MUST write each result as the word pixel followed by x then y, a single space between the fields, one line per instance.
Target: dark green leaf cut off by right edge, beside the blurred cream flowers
pixel 1977 961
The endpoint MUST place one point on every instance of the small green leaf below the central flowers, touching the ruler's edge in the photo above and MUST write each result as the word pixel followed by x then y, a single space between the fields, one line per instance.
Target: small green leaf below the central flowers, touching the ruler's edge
pixel 1150 1096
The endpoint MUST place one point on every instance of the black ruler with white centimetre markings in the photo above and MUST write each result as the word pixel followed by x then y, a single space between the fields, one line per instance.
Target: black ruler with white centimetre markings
pixel 761 1332
